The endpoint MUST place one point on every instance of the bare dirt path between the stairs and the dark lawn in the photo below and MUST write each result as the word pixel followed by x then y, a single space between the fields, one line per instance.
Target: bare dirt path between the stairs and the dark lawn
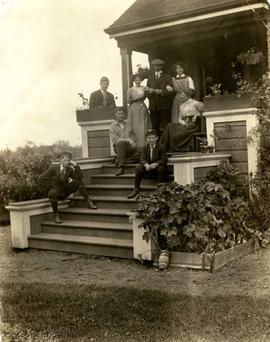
pixel 247 276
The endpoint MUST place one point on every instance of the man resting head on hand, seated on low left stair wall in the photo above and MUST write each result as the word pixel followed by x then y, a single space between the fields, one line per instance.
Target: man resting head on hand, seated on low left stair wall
pixel 61 180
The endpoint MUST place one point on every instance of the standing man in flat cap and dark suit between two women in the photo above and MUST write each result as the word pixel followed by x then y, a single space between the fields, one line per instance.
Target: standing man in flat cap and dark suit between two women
pixel 159 92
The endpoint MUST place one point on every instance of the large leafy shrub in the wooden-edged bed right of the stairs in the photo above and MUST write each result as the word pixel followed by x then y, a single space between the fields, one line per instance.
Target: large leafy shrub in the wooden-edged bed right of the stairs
pixel 199 217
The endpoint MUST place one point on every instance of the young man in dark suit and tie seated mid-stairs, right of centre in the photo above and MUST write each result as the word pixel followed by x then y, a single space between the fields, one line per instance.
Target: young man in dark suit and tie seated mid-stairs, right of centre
pixel 153 162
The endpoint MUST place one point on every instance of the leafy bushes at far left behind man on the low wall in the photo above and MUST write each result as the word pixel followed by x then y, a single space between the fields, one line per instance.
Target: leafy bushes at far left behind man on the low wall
pixel 19 170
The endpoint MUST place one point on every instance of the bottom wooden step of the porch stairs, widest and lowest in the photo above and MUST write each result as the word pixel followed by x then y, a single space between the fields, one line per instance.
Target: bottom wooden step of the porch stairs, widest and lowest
pixel 120 248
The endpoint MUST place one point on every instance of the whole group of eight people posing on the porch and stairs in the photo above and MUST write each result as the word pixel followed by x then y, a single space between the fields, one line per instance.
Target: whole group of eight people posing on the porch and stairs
pixel 144 137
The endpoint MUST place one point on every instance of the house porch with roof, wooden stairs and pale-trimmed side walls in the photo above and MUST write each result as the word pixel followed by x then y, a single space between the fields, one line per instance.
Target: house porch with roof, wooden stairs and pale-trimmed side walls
pixel 208 35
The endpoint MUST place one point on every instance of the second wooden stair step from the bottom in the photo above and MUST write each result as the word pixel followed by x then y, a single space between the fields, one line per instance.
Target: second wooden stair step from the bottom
pixel 86 228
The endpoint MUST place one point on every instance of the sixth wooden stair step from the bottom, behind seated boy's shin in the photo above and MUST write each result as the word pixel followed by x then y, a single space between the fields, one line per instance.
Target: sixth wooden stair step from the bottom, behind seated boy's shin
pixel 126 179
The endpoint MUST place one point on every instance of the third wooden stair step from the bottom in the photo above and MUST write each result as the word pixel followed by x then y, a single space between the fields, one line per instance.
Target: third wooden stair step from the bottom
pixel 99 215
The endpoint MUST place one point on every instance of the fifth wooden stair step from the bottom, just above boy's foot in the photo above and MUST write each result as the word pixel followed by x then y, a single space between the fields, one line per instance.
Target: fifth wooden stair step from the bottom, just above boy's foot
pixel 115 189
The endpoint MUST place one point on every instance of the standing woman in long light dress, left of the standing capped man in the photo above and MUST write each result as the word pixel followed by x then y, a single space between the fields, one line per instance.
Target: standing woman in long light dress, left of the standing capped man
pixel 137 111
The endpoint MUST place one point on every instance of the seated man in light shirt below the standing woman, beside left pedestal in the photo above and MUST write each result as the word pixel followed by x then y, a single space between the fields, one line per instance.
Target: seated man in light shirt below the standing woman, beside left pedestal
pixel 124 146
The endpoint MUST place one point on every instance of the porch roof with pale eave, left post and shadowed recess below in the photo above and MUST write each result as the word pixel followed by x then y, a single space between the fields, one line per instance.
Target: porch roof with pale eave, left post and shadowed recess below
pixel 206 34
